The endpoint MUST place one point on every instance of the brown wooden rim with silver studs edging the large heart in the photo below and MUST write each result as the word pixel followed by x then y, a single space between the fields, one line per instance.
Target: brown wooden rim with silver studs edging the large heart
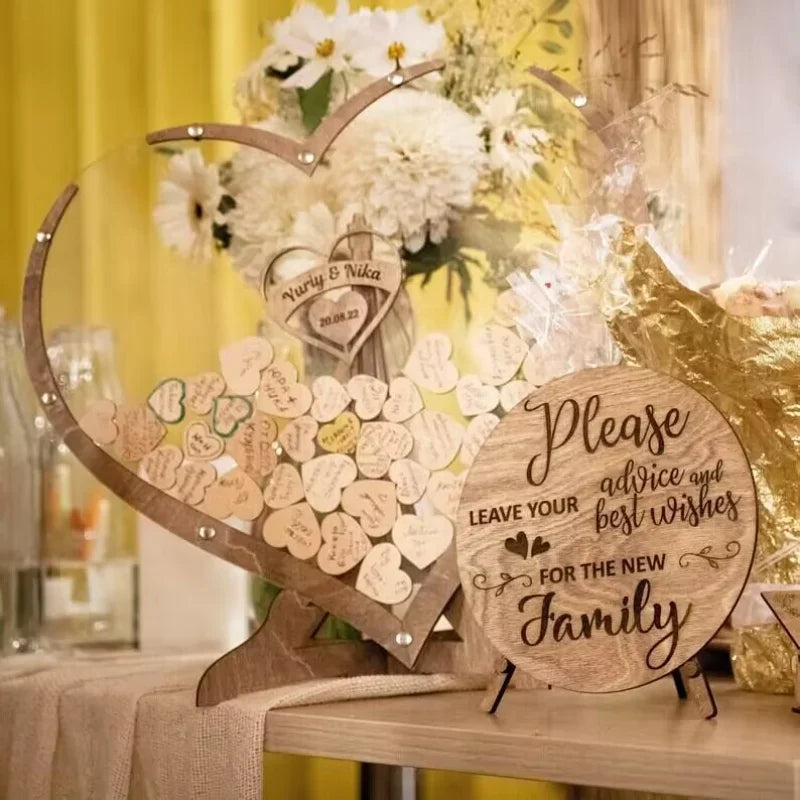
pixel 404 640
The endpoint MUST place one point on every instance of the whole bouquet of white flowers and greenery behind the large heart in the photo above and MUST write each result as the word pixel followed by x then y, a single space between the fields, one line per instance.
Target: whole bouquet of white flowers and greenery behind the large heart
pixel 450 170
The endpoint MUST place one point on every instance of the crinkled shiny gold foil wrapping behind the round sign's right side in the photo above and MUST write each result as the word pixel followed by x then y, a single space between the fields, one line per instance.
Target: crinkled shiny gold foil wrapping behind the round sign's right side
pixel 749 367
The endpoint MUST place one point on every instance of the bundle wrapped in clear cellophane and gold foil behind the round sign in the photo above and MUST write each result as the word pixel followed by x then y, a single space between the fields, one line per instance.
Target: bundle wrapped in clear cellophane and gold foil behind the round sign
pixel 737 343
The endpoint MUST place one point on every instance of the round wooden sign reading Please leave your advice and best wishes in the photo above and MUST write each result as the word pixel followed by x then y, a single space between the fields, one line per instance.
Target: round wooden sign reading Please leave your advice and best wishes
pixel 606 529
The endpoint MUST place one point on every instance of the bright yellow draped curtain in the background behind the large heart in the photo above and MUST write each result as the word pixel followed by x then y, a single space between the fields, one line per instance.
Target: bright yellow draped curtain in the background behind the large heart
pixel 80 77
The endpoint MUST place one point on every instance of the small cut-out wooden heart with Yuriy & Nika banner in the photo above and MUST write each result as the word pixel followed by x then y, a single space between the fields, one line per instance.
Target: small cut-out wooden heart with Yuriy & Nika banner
pixel 283 310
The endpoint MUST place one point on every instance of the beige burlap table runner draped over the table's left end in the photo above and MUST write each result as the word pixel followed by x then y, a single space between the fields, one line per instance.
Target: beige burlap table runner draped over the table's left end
pixel 127 727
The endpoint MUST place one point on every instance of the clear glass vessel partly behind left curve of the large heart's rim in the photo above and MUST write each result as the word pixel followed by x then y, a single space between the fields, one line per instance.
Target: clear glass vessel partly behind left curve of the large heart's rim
pixel 89 544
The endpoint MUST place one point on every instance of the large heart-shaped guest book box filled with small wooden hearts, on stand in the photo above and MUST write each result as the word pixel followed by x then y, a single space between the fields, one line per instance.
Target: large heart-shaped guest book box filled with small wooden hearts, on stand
pixel 309 454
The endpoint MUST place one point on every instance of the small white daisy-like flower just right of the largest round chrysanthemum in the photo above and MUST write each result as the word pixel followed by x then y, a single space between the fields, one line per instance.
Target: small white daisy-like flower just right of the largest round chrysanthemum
pixel 513 145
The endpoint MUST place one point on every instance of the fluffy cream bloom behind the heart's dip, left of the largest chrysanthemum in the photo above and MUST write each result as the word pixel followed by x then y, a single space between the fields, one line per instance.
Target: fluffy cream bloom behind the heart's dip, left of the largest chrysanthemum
pixel 269 194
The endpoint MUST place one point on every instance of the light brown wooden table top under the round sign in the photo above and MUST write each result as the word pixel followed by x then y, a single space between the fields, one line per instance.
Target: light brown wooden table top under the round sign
pixel 645 739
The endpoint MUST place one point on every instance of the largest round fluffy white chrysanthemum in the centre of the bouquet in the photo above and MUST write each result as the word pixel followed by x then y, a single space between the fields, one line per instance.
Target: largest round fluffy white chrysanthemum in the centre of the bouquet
pixel 412 160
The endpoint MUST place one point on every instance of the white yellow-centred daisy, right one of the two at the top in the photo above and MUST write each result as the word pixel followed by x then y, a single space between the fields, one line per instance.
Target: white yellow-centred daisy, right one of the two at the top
pixel 398 37
